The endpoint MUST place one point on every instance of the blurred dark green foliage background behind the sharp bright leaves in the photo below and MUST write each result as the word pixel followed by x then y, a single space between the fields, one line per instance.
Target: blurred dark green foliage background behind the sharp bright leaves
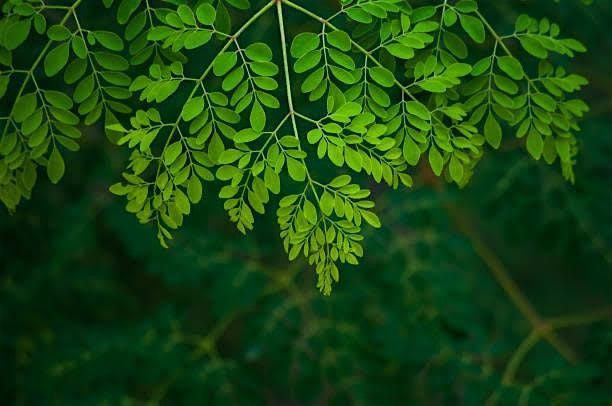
pixel 498 293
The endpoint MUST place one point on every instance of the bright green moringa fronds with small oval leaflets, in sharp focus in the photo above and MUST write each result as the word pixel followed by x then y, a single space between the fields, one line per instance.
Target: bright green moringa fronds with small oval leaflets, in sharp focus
pixel 327 101
